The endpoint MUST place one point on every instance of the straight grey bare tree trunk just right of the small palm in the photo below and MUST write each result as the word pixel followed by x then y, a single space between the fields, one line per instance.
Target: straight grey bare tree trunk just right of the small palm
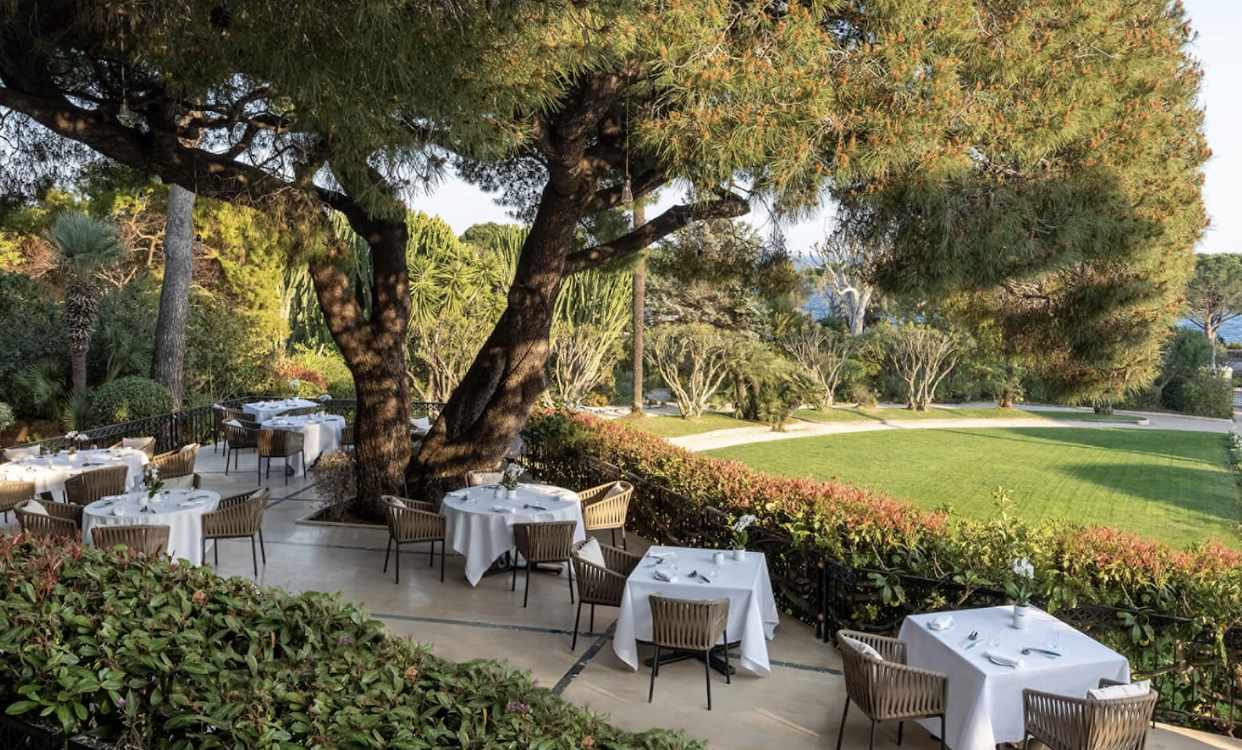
pixel 168 359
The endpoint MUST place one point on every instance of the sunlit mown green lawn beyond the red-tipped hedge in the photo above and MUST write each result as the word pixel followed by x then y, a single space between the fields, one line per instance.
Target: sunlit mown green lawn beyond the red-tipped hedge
pixel 1172 486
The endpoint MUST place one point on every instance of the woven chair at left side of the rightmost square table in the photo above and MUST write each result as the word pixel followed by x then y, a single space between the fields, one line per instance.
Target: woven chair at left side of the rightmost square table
pixel 887 690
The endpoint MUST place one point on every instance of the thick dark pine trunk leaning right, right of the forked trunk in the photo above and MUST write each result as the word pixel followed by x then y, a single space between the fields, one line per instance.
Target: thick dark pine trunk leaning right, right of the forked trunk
pixel 494 400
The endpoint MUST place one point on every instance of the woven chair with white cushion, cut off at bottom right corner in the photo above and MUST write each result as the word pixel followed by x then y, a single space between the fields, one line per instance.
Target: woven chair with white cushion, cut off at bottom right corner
pixel 1064 723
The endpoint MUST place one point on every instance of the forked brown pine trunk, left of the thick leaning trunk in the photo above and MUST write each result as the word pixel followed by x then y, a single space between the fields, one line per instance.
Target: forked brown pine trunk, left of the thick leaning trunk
pixel 374 352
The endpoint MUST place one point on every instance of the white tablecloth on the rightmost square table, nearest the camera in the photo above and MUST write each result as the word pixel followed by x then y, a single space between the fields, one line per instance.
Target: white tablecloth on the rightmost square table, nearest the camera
pixel 986 700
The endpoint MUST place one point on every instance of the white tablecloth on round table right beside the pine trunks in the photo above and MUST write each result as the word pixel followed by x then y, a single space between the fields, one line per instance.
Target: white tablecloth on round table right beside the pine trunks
pixel 483 535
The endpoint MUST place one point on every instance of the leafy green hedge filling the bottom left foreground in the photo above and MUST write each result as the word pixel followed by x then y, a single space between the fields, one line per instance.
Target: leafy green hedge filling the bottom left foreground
pixel 168 656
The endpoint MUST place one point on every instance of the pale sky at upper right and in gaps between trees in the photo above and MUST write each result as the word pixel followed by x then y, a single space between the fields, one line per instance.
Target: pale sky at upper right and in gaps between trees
pixel 1219 48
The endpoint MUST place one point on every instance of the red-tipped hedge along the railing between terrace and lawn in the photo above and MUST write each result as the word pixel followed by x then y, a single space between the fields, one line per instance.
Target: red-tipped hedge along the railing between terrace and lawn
pixel 1071 564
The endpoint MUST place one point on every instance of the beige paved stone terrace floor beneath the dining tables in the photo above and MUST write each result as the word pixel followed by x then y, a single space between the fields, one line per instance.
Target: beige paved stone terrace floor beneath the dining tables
pixel 797 708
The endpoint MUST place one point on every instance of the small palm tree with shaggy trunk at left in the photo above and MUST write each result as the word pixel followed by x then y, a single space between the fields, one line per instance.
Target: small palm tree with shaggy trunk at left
pixel 84 246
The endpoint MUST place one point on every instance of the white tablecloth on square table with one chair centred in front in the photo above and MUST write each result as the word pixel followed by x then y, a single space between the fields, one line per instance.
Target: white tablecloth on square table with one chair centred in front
pixel 753 618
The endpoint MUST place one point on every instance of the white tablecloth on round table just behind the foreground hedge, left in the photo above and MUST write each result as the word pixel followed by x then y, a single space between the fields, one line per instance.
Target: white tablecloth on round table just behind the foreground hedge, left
pixel 186 523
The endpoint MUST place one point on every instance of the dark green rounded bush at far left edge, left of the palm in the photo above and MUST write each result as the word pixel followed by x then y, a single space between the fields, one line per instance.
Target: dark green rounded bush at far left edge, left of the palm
pixel 33 330
